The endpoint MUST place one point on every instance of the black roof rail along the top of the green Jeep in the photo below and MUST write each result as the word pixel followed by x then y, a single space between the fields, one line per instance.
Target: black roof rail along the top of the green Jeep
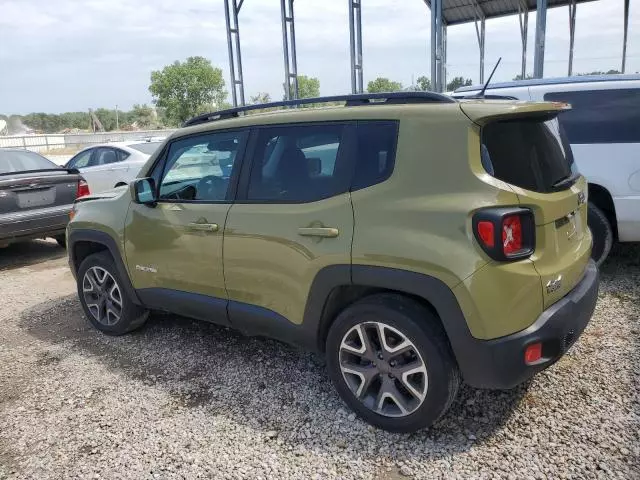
pixel 350 101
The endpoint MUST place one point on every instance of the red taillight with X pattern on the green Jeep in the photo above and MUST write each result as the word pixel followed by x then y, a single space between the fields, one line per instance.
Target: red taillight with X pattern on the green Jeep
pixel 505 233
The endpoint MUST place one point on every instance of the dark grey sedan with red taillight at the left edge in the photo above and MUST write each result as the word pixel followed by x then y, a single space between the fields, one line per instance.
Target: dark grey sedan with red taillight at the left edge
pixel 36 196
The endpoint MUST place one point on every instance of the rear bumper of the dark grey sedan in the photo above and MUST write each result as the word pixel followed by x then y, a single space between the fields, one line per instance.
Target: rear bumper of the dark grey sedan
pixel 33 224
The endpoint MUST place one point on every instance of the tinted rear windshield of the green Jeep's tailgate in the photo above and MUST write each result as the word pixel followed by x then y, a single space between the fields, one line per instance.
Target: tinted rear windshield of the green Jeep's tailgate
pixel 530 153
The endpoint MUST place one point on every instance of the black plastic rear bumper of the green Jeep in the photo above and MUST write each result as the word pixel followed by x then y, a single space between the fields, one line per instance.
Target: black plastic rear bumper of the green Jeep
pixel 499 363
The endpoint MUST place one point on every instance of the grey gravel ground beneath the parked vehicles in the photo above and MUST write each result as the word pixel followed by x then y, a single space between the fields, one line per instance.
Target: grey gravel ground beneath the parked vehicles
pixel 181 399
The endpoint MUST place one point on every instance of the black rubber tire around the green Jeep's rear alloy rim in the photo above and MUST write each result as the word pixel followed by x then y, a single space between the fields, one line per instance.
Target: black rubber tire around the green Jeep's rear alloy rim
pixel 419 325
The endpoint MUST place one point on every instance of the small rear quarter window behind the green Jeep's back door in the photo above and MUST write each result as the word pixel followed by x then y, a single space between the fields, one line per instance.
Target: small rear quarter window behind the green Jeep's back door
pixel 376 147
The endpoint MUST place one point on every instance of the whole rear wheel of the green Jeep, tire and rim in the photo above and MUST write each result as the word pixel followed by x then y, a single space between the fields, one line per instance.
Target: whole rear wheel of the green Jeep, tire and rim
pixel 391 363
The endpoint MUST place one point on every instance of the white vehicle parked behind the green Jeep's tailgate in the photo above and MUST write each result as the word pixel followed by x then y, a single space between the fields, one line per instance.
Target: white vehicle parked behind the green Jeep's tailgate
pixel 603 127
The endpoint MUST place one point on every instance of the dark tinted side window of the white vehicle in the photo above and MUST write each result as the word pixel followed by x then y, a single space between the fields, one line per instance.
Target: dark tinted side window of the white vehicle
pixel 601 116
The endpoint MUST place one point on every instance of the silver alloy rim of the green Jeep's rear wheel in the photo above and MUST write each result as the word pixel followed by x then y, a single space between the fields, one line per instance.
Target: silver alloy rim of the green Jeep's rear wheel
pixel 383 369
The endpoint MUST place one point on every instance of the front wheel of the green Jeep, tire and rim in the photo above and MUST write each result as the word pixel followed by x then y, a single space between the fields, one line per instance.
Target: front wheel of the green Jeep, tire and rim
pixel 103 298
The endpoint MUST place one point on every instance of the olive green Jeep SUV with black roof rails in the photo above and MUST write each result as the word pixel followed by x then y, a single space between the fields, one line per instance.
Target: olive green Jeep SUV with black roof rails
pixel 371 233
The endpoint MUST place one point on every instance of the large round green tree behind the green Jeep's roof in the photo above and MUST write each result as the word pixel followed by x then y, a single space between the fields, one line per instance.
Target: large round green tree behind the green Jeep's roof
pixel 188 88
